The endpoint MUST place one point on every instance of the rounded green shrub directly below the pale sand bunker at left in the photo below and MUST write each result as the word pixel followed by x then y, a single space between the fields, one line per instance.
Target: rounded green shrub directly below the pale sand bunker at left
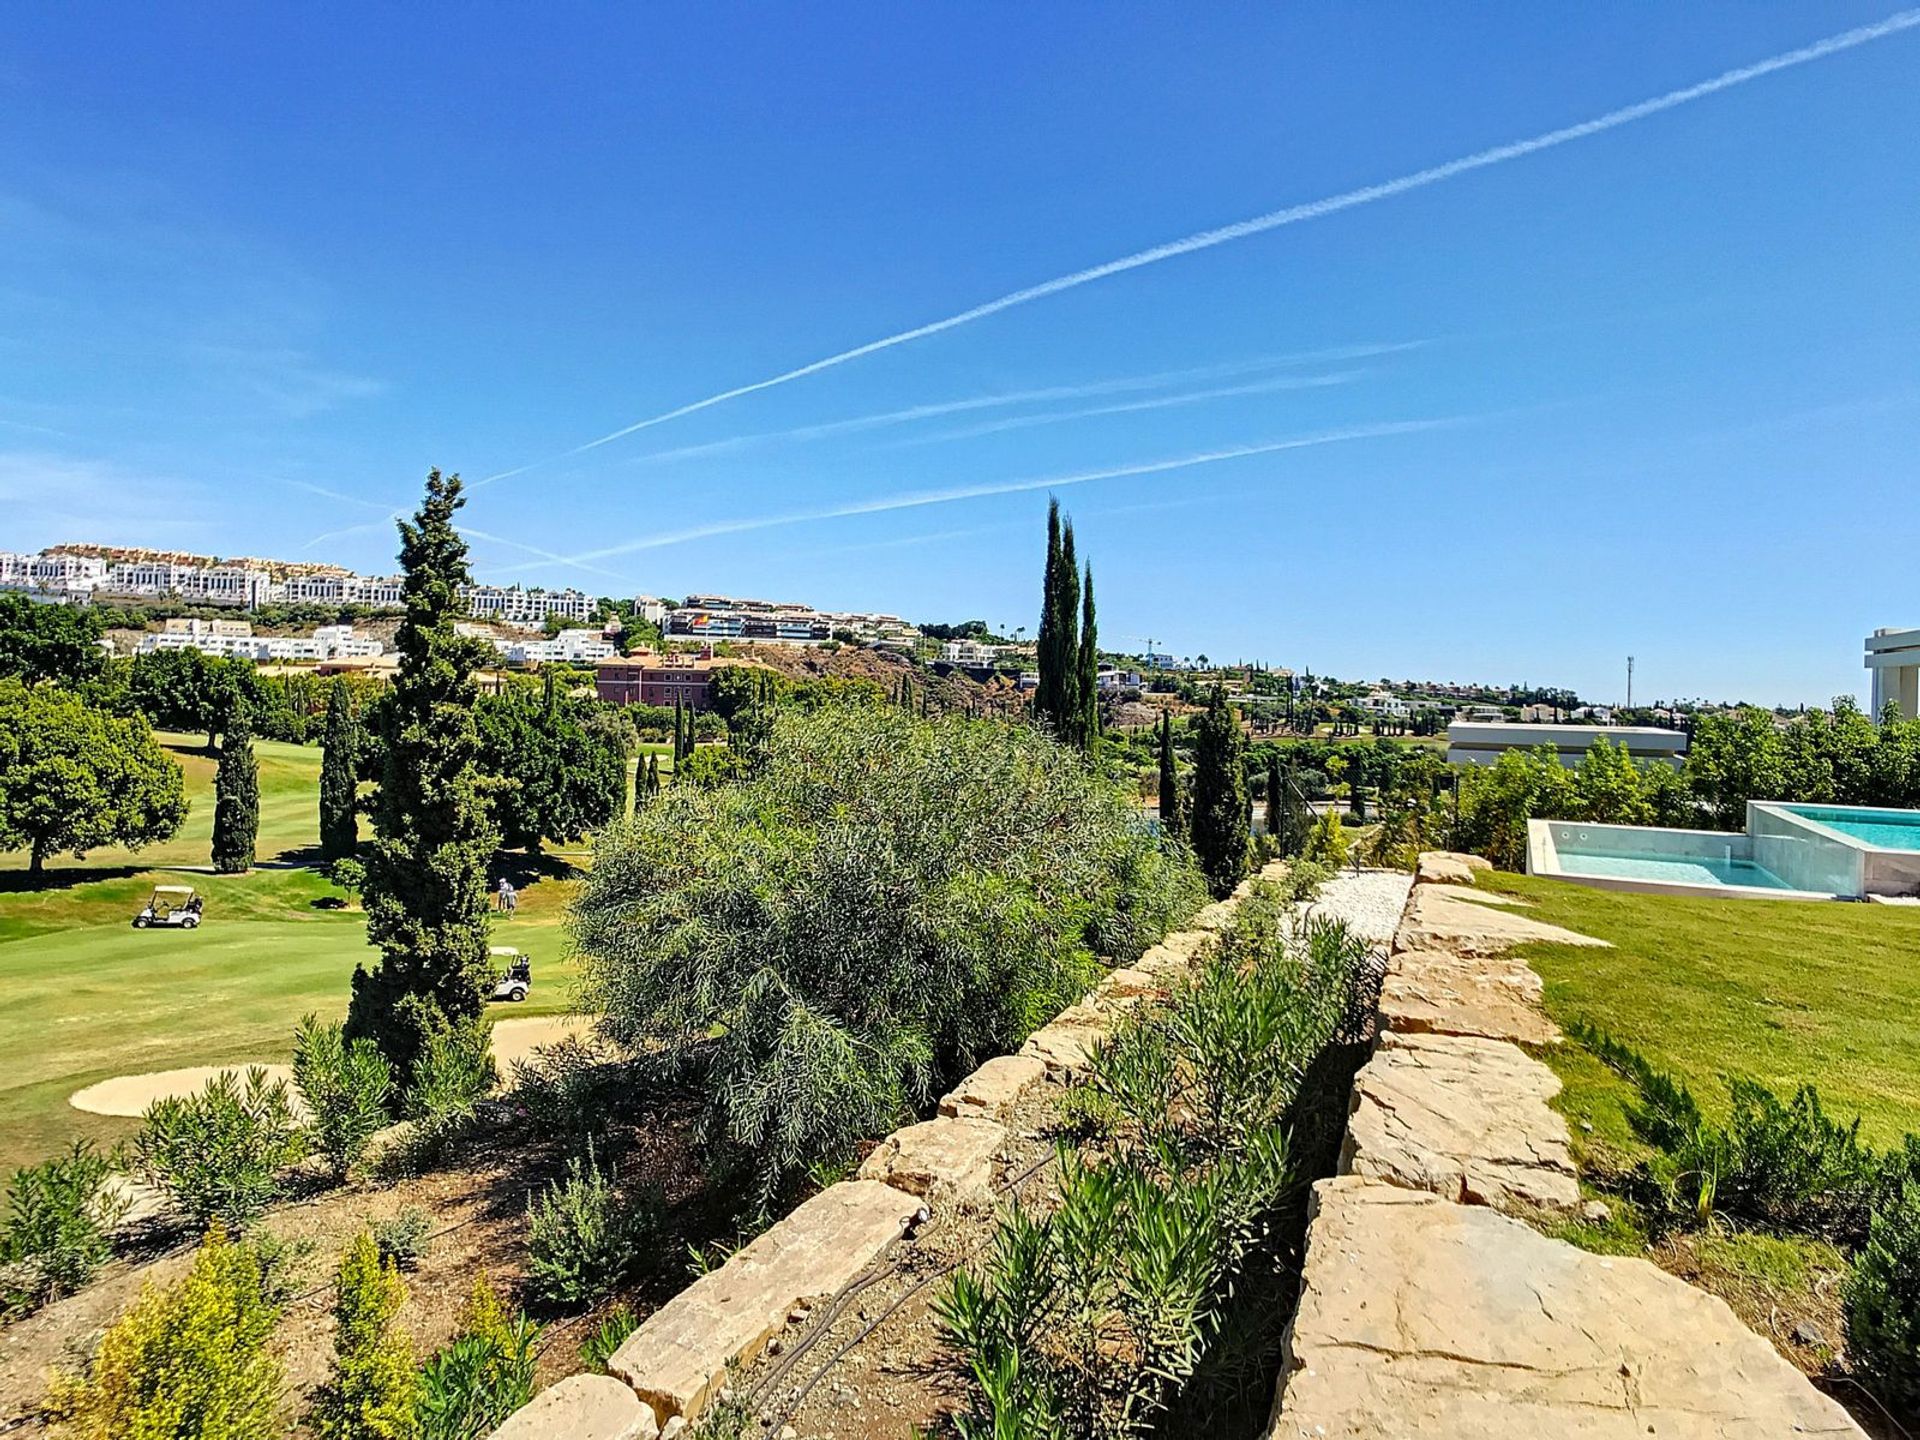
pixel 220 1155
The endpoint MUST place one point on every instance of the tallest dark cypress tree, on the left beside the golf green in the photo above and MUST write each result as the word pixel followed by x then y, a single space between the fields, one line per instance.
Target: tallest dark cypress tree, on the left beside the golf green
pixel 433 838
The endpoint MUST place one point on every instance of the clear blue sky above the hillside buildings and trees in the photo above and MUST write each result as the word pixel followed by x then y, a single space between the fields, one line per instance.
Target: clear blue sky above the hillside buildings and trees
pixel 1654 391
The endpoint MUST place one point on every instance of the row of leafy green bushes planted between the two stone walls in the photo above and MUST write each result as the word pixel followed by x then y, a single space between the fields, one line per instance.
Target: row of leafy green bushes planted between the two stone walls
pixel 1090 1320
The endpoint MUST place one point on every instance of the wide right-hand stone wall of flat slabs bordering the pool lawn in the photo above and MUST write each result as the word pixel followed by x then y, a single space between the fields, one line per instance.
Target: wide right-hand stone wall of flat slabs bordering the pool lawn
pixel 1428 1307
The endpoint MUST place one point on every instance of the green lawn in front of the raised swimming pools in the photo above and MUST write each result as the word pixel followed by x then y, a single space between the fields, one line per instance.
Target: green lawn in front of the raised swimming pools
pixel 1785 992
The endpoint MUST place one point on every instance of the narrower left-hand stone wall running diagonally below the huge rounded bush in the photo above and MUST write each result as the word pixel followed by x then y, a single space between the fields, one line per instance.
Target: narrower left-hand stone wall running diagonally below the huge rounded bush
pixel 675 1364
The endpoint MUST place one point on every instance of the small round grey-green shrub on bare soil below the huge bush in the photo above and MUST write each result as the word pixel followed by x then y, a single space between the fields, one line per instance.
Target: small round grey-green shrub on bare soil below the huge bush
pixel 583 1237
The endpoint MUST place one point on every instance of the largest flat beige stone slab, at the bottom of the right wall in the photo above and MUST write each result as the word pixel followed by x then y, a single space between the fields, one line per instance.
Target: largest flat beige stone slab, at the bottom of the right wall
pixel 1422 1320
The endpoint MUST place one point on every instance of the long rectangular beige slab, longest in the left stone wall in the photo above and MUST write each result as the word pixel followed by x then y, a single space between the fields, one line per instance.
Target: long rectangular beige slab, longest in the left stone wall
pixel 679 1358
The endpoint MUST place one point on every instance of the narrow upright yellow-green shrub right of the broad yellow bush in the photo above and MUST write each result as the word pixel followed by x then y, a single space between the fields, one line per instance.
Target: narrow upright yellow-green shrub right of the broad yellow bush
pixel 375 1385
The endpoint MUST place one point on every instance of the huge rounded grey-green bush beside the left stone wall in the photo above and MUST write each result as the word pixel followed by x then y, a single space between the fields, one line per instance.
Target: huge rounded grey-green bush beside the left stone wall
pixel 880 907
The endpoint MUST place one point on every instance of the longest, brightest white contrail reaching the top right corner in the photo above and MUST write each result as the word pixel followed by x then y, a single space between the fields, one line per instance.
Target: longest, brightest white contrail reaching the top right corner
pixel 1291 216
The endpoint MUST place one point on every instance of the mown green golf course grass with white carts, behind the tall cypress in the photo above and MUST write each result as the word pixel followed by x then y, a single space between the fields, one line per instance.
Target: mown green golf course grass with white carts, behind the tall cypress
pixel 89 997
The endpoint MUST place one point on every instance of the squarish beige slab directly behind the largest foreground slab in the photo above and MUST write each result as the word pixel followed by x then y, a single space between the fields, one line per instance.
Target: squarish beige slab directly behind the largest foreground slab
pixel 1464 1118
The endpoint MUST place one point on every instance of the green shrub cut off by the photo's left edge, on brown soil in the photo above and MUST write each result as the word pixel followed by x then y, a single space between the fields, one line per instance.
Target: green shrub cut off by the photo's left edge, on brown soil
pixel 60 1226
